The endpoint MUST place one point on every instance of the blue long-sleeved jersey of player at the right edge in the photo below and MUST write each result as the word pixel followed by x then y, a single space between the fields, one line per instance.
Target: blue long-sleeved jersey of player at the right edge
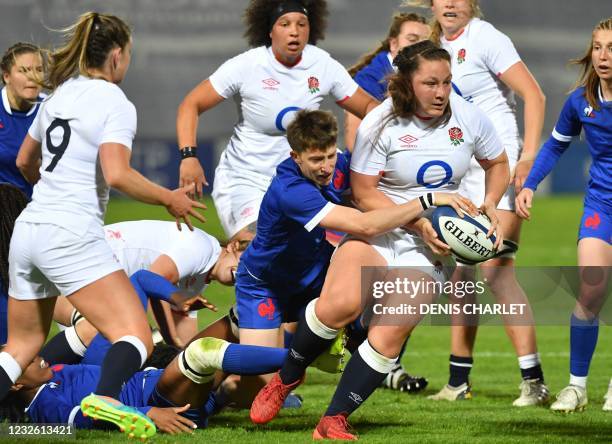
pixel 576 115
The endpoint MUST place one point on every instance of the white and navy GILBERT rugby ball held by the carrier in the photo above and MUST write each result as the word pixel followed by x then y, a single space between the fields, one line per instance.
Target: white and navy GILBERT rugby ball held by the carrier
pixel 466 236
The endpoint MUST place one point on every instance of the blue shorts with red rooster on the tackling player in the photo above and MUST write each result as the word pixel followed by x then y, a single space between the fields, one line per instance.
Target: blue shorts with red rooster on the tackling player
pixel 262 307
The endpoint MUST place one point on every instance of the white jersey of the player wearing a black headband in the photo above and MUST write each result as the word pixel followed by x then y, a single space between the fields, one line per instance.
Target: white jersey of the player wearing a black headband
pixel 268 94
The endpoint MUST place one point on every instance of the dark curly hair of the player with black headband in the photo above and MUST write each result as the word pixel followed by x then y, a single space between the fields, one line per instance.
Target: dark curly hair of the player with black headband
pixel 257 20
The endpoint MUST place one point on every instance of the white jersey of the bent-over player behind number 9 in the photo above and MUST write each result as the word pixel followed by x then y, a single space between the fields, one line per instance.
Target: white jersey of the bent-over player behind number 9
pixel 137 244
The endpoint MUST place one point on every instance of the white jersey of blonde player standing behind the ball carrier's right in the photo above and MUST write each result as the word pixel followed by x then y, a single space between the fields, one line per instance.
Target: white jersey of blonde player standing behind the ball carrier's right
pixel 479 56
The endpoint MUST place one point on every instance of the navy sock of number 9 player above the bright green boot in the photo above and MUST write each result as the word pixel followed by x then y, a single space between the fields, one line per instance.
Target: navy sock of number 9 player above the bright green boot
pixel 121 362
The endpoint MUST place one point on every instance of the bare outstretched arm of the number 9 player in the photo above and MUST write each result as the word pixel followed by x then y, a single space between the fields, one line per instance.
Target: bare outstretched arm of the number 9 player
pixel 115 162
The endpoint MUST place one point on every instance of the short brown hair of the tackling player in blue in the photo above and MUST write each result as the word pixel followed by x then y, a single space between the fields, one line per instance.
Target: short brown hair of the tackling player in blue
pixel 312 129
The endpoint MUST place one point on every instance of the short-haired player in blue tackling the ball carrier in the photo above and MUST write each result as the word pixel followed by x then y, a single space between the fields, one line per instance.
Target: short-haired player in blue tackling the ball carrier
pixel 284 267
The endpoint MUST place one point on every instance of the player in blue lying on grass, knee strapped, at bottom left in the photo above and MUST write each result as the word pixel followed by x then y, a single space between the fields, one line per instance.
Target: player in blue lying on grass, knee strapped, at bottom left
pixel 175 399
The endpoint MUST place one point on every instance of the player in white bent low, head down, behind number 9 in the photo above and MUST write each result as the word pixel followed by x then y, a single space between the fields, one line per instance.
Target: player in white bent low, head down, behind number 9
pixel 158 258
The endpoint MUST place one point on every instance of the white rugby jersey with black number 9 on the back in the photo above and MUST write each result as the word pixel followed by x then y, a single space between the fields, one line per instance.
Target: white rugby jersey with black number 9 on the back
pixel 72 123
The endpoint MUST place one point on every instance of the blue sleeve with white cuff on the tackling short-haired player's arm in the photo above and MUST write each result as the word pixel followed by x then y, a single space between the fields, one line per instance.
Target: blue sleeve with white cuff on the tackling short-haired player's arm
pixel 304 203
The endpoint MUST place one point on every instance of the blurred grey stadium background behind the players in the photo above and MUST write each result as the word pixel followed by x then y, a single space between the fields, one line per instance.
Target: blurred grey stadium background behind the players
pixel 178 43
